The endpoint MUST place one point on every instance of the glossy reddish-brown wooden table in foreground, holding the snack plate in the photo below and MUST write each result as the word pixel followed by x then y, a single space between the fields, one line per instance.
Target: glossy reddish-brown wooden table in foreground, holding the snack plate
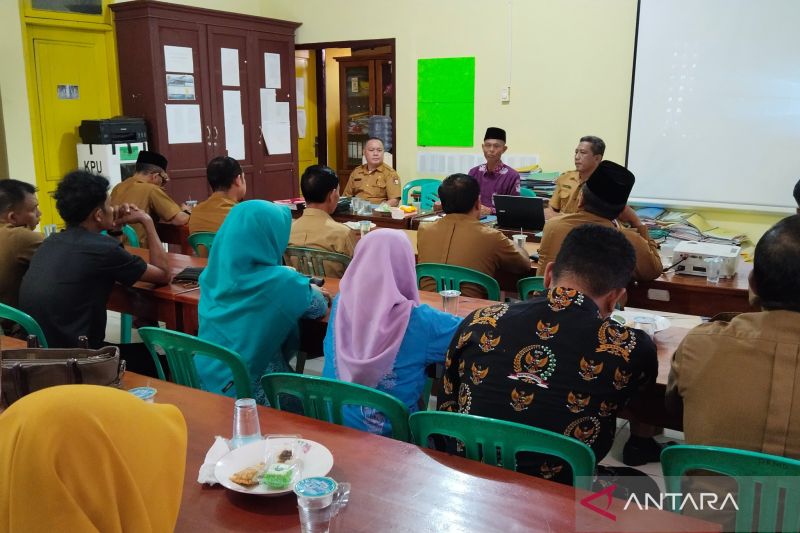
pixel 395 485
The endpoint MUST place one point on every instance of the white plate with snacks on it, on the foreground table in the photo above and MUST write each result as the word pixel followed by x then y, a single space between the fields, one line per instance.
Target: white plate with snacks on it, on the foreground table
pixel 272 466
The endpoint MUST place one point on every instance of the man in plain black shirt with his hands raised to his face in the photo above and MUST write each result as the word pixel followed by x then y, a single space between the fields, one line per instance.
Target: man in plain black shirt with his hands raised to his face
pixel 70 277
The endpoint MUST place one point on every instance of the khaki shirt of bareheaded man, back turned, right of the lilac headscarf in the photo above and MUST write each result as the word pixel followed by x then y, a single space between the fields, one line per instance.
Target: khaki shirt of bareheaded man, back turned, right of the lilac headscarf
pixel 461 240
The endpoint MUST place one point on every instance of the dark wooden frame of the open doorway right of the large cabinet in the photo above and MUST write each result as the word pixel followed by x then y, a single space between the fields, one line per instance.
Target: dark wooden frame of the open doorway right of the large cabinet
pixel 319 61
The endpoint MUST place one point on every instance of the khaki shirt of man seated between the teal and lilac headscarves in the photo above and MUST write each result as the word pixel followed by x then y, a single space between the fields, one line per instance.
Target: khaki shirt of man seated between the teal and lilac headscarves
pixel 316 229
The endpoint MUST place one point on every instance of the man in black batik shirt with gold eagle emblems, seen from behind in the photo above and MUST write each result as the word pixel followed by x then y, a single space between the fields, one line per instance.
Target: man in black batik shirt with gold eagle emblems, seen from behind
pixel 557 361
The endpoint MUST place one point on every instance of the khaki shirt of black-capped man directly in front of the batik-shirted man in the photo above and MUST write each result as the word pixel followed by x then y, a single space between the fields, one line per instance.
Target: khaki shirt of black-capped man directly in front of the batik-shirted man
pixel 648 262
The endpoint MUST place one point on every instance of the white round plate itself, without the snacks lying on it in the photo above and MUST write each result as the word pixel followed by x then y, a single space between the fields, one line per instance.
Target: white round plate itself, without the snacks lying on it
pixel 316 460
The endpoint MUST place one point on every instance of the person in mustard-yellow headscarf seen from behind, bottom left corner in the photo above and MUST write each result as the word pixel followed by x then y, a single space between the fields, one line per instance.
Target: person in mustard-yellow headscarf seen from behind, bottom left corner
pixel 90 458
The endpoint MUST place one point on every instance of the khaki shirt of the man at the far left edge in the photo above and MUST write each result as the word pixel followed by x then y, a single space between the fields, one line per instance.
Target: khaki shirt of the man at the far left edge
pixel 17 246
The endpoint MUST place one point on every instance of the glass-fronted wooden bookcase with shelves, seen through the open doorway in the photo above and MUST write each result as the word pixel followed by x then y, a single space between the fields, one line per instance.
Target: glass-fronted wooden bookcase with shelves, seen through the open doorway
pixel 366 88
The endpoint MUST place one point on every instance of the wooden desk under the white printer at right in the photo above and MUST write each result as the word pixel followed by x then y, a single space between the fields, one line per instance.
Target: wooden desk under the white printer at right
pixel 693 295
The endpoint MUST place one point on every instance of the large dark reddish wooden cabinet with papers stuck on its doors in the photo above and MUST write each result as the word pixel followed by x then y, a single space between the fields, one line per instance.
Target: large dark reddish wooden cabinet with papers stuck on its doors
pixel 202 95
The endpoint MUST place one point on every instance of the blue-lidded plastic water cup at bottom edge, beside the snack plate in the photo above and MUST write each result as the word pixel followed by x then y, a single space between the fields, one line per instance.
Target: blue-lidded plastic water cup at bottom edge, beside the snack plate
pixel 319 499
